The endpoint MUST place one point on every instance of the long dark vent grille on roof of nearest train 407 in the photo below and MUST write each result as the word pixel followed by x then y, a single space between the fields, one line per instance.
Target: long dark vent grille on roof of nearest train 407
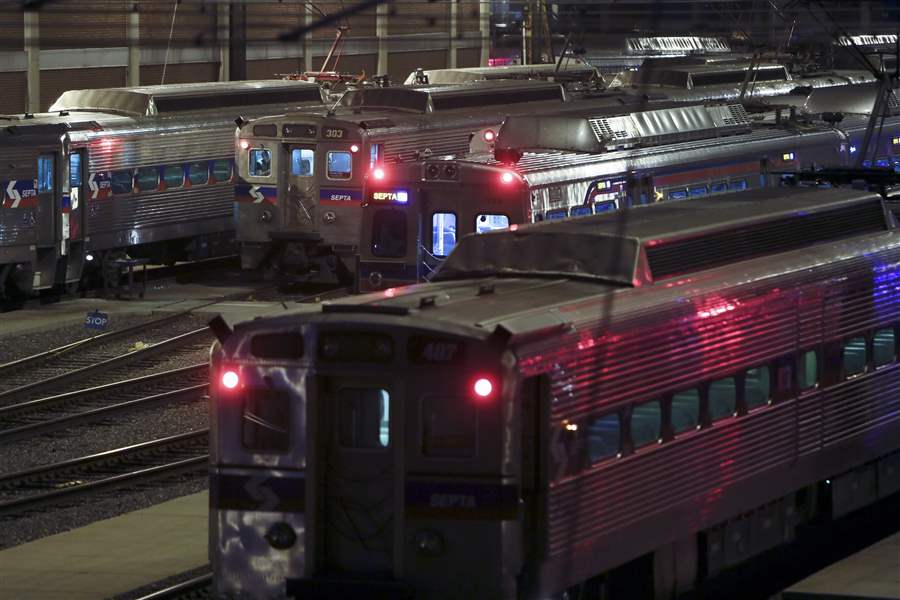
pixel 714 249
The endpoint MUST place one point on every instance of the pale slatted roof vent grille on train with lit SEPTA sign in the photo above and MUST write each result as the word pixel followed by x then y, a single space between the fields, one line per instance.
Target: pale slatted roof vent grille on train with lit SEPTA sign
pixel 671 124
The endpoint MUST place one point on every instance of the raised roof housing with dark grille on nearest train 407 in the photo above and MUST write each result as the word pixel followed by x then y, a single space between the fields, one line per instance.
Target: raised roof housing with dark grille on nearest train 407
pixel 647 244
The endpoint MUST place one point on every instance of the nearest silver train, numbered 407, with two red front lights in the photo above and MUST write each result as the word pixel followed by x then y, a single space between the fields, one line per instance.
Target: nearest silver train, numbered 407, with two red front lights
pixel 626 403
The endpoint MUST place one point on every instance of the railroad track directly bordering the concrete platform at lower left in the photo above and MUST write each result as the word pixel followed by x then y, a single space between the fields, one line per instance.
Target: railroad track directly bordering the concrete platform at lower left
pixel 69 481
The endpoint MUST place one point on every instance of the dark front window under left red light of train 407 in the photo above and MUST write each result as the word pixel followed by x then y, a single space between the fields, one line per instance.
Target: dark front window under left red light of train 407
pixel 266 422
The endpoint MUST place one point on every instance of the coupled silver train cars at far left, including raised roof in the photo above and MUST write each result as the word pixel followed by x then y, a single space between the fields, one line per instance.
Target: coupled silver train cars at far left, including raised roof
pixel 145 171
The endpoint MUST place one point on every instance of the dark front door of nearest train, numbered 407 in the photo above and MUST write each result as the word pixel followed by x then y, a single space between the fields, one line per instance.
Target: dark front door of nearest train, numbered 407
pixel 361 488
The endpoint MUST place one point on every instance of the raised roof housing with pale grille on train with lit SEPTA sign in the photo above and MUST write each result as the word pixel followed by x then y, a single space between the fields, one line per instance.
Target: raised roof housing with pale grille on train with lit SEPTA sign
pixel 592 131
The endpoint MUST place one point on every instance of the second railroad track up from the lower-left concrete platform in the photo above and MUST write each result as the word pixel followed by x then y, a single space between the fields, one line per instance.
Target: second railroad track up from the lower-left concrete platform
pixel 44 415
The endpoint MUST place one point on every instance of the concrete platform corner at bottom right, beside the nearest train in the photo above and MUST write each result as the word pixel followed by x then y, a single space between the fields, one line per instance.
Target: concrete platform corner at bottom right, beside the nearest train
pixel 873 573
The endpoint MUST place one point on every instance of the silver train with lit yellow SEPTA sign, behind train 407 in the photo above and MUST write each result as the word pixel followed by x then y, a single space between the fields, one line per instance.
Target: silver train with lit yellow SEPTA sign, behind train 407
pixel 577 165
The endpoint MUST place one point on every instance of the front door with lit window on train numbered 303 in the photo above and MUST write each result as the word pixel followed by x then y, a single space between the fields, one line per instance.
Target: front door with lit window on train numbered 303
pixel 302 190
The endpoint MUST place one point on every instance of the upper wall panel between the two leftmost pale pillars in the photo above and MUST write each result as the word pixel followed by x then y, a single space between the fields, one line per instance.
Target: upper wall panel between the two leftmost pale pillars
pixel 83 24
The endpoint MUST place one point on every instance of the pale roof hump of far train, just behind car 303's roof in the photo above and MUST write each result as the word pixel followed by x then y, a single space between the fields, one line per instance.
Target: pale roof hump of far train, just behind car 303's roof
pixel 568 70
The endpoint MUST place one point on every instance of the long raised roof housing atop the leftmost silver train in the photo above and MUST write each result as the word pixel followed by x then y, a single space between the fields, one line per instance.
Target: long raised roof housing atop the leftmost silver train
pixel 145 101
